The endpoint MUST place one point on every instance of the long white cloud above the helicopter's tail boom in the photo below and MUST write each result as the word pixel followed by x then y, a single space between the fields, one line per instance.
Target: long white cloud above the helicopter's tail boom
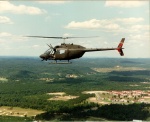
pixel 106 24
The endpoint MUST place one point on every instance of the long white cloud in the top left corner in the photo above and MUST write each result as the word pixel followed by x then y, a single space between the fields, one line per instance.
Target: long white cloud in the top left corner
pixel 6 6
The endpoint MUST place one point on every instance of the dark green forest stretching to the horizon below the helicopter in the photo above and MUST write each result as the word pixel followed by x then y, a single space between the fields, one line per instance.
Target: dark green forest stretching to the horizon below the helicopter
pixel 25 82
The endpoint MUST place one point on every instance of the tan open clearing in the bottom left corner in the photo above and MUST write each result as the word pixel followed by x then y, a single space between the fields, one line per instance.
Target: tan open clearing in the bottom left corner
pixel 19 112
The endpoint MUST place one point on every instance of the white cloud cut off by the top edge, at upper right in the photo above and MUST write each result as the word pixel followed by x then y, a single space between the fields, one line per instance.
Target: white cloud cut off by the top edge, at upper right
pixel 124 4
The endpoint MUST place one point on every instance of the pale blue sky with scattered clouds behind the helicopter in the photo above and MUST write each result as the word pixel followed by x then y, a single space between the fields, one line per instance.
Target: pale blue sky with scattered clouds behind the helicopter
pixel 108 20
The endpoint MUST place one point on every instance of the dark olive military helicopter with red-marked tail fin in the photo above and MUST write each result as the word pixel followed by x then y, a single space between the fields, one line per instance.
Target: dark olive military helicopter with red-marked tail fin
pixel 71 51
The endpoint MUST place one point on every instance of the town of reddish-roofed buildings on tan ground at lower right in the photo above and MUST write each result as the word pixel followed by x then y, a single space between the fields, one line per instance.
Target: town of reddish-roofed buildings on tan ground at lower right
pixel 119 97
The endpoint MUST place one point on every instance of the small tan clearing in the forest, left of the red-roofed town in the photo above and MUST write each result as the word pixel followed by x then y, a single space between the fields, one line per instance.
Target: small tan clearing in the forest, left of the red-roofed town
pixel 61 96
